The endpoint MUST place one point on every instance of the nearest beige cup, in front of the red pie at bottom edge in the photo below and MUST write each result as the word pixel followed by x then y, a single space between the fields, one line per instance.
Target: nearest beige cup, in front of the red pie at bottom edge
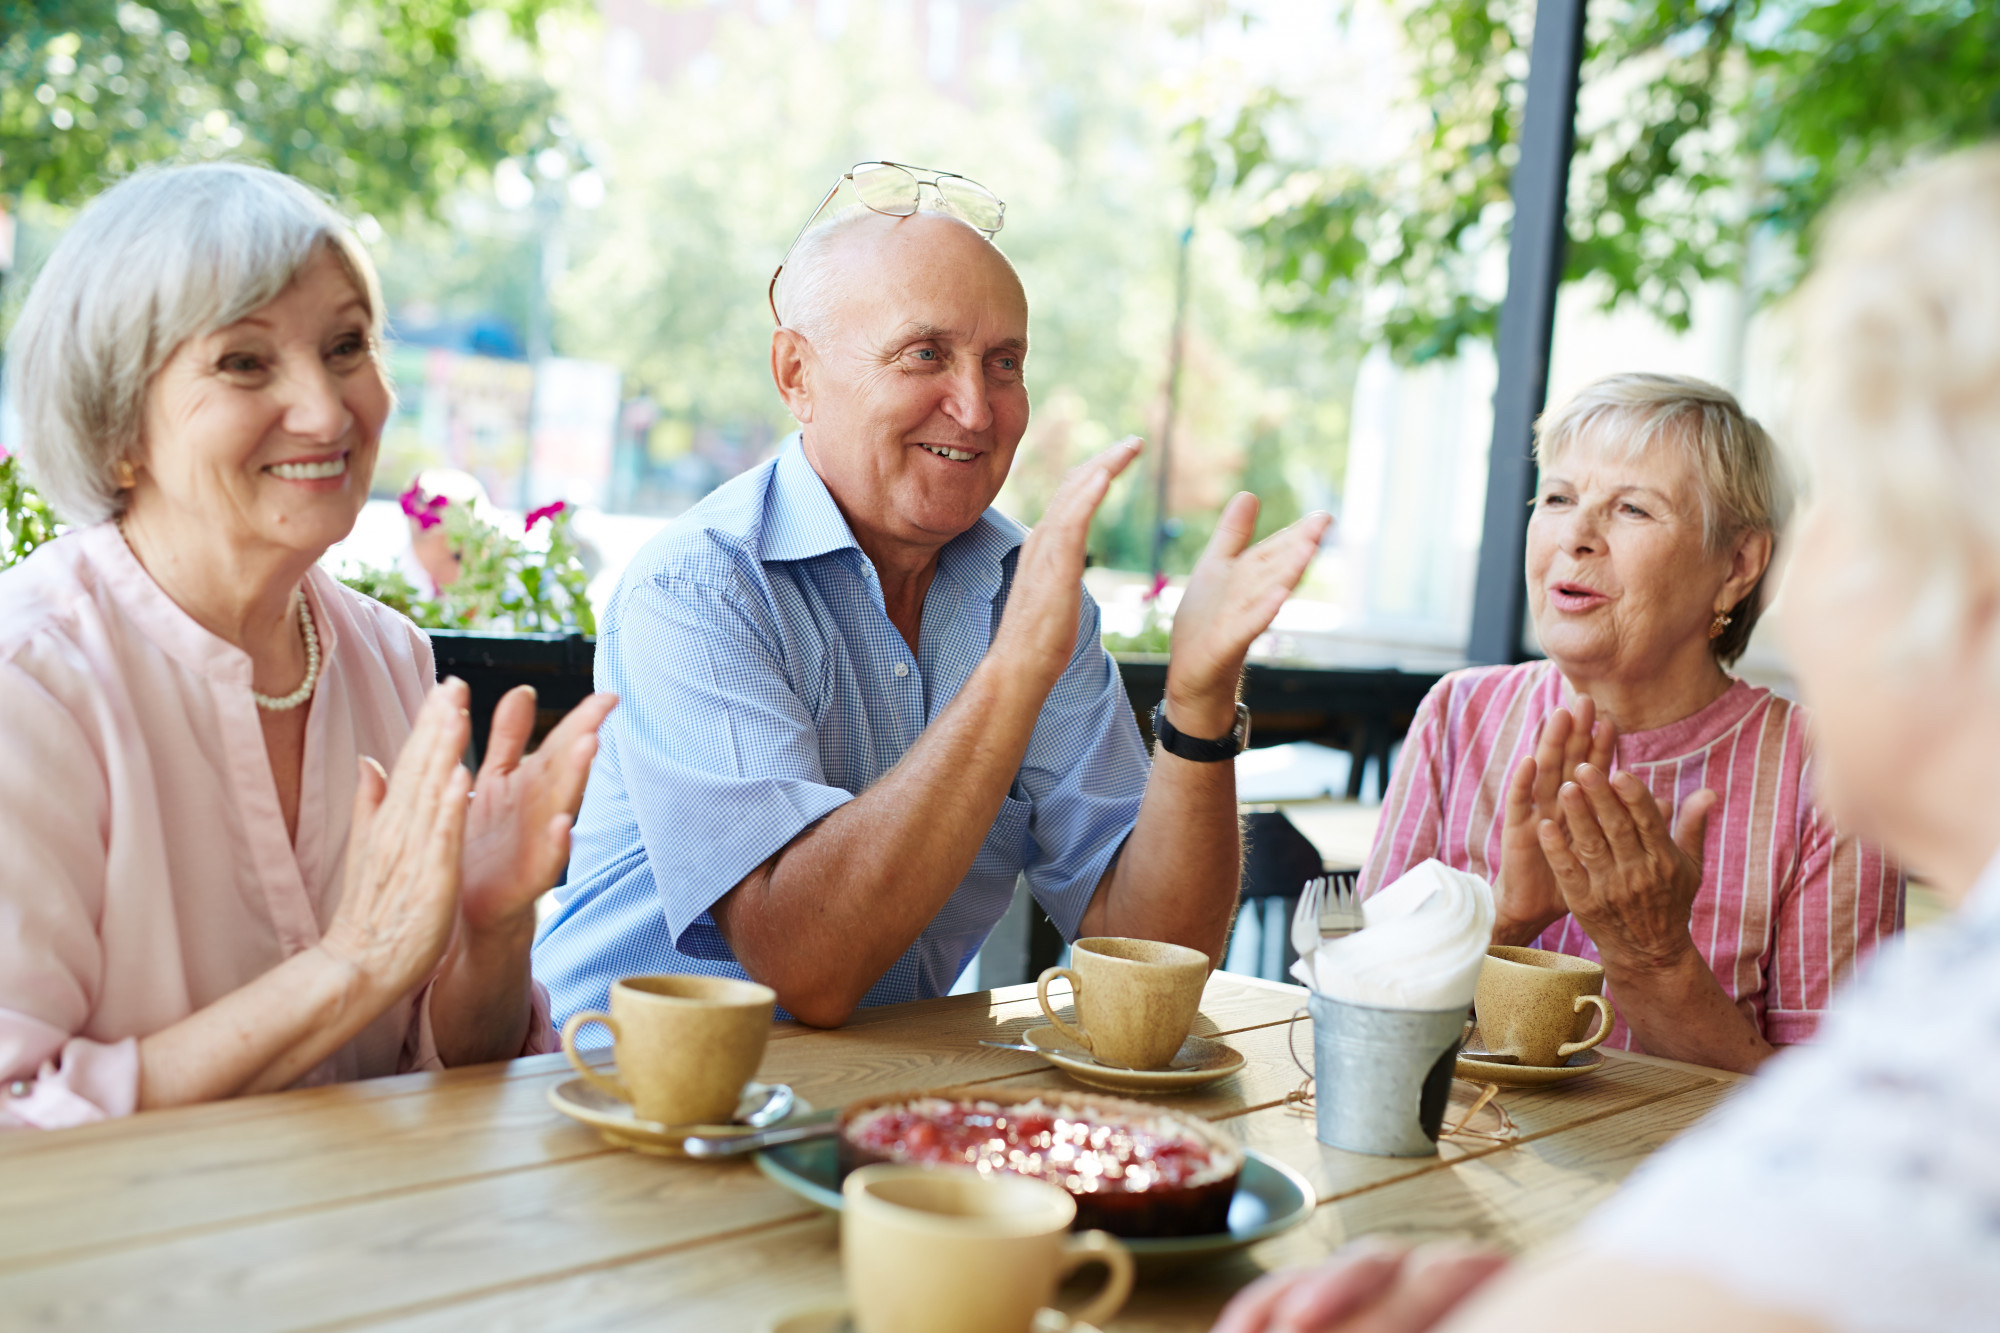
pixel 931 1250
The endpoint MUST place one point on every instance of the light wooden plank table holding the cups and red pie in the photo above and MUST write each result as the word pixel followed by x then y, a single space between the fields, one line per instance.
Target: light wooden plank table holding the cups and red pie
pixel 463 1200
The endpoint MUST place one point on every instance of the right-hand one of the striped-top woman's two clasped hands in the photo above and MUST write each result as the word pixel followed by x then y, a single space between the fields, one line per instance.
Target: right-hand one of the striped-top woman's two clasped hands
pixel 1623 876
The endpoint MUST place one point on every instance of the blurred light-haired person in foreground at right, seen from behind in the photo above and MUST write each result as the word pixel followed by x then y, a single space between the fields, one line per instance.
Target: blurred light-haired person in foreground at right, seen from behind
pixel 1855 1186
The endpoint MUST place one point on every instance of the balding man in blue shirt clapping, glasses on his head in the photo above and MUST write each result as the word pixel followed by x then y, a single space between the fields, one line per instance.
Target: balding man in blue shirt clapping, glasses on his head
pixel 859 702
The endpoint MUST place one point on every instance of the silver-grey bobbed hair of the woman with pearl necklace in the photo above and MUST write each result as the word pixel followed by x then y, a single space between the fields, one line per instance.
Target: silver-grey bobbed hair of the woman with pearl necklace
pixel 167 255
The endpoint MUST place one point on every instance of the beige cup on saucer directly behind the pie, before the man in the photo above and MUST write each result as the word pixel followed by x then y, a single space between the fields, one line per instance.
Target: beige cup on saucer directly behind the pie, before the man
pixel 1135 1000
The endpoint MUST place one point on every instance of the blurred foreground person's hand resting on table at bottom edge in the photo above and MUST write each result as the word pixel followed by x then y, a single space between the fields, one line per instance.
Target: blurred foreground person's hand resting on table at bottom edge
pixel 1369 1288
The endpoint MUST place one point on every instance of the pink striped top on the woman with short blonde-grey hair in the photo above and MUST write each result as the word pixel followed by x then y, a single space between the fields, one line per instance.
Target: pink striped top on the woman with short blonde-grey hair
pixel 1789 904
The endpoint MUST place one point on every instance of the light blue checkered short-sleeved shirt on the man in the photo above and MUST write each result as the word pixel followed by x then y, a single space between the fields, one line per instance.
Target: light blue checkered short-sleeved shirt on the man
pixel 763 688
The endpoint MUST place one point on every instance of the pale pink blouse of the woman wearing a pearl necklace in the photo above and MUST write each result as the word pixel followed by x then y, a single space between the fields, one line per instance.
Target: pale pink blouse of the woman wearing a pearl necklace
pixel 145 864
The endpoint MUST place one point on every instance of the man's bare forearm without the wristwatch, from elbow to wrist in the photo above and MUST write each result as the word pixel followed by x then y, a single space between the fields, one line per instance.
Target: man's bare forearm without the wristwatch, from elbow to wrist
pixel 841 904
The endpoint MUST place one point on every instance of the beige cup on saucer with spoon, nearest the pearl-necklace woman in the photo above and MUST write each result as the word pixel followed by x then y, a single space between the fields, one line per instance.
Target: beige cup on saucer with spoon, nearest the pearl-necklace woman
pixel 685 1046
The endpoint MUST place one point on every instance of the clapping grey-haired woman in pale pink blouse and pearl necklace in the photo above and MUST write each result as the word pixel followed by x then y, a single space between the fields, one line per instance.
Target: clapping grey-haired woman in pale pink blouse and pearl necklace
pixel 213 884
